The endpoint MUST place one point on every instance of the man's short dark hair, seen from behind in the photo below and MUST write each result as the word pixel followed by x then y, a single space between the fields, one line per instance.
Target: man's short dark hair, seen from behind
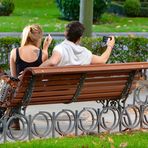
pixel 74 31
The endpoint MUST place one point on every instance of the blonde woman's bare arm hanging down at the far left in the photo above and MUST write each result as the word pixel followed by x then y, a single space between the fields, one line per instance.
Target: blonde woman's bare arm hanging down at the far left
pixel 13 63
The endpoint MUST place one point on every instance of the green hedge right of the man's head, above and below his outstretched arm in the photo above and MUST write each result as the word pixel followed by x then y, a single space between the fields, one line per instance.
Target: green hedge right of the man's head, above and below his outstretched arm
pixel 126 49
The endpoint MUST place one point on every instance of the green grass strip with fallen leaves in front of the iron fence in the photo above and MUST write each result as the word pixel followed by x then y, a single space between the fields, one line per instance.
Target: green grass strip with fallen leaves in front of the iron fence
pixel 126 140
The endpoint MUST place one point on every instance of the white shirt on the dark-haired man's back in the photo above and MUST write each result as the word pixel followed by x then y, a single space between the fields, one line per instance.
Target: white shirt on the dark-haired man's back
pixel 73 54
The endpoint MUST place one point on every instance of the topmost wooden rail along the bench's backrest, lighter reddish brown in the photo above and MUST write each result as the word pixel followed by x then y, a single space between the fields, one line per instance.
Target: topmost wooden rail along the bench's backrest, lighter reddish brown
pixel 95 67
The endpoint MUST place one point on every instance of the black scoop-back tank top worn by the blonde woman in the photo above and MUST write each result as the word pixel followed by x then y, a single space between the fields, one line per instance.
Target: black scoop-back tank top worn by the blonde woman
pixel 21 64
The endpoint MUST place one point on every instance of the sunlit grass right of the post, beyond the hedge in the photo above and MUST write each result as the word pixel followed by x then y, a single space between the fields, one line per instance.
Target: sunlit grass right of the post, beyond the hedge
pixel 114 23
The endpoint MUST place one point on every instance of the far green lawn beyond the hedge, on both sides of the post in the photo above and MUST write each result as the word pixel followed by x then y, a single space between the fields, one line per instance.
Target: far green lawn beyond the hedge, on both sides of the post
pixel 45 13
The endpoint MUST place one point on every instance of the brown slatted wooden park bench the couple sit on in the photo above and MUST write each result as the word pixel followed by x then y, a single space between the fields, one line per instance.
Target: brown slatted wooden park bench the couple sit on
pixel 109 84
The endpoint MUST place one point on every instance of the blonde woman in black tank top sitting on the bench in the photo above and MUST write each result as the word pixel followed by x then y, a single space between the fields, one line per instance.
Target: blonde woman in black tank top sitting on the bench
pixel 29 54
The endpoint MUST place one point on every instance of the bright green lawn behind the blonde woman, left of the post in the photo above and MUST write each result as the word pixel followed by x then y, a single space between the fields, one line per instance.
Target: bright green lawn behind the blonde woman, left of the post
pixel 43 12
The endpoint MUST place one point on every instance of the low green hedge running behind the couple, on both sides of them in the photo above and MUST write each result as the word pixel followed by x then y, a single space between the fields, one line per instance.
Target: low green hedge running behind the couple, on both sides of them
pixel 126 49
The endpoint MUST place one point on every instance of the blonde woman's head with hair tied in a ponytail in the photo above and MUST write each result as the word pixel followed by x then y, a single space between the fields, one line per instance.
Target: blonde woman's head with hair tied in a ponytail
pixel 32 34
